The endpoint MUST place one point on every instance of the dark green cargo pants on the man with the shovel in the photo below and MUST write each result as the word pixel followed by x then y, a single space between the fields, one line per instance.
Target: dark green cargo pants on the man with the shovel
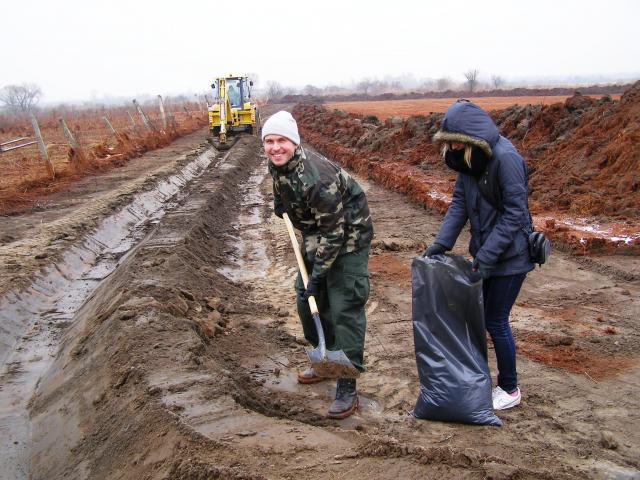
pixel 344 292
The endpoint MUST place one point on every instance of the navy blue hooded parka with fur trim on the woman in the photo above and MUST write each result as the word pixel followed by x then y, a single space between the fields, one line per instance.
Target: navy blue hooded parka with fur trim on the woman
pixel 499 237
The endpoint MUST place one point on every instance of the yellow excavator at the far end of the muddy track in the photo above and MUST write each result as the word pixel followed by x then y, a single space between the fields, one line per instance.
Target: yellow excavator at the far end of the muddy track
pixel 232 110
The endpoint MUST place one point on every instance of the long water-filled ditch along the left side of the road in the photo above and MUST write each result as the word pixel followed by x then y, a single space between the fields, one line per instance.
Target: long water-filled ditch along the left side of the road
pixel 31 321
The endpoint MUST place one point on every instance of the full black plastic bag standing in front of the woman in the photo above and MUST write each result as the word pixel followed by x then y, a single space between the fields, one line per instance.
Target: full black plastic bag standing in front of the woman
pixel 450 342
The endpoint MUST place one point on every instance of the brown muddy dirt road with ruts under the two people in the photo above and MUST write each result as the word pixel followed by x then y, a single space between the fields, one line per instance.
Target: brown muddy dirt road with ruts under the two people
pixel 149 331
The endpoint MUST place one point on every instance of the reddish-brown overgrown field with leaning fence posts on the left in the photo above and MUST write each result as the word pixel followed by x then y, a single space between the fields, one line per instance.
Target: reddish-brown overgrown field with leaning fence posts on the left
pixel 25 178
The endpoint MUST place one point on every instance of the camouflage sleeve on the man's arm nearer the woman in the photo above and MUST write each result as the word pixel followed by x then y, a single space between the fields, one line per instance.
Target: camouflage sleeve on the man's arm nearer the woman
pixel 325 200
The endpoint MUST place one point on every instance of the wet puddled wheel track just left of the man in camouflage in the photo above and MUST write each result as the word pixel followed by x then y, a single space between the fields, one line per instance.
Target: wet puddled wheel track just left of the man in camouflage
pixel 248 258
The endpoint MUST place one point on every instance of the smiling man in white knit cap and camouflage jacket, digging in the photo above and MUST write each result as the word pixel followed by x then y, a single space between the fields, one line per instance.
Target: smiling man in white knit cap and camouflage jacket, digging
pixel 330 209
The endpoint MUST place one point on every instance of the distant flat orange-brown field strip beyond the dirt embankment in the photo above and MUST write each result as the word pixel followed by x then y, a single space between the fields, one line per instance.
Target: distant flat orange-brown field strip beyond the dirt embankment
pixel 424 106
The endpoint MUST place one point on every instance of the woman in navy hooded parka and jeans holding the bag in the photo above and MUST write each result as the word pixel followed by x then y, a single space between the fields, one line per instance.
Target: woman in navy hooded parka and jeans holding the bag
pixel 500 225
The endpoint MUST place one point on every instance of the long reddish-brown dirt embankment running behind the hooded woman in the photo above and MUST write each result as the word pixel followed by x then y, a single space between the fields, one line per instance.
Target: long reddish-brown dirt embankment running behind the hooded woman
pixel 583 156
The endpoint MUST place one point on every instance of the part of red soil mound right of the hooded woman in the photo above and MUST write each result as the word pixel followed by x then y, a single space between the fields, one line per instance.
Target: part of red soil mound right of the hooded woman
pixel 583 155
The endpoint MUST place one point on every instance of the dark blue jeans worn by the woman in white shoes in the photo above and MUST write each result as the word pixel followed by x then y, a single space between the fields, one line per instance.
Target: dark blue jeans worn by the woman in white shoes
pixel 499 295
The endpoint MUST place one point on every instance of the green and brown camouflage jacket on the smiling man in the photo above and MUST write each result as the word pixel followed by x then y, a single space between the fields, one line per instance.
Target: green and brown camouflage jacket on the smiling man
pixel 325 203
